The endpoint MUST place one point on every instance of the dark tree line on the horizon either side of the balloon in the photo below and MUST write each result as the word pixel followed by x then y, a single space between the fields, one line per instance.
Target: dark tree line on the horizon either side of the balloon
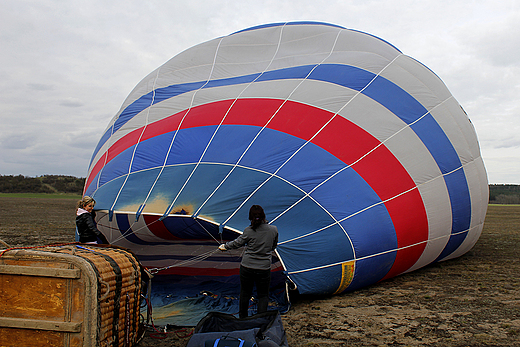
pixel 56 184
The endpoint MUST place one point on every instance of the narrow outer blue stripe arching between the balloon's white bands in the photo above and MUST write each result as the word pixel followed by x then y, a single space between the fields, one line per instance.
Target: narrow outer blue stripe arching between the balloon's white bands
pixel 383 91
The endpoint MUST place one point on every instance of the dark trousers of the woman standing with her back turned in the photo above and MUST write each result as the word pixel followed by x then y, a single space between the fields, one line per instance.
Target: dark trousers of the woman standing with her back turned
pixel 248 278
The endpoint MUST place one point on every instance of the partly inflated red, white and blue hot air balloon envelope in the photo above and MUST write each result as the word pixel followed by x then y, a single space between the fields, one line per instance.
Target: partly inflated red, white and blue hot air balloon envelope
pixel 358 153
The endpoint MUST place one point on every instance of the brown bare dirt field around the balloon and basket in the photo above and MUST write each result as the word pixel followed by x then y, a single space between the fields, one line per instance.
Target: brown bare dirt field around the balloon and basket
pixel 473 300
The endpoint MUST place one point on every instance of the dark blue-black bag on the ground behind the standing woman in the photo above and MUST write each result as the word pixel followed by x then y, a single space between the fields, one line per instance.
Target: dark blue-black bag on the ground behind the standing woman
pixel 266 329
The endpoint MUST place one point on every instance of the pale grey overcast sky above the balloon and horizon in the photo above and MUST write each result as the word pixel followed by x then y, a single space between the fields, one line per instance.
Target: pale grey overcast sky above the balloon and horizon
pixel 67 65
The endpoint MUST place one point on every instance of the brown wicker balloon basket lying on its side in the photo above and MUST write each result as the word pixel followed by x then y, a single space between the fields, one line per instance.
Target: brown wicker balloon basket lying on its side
pixel 73 295
